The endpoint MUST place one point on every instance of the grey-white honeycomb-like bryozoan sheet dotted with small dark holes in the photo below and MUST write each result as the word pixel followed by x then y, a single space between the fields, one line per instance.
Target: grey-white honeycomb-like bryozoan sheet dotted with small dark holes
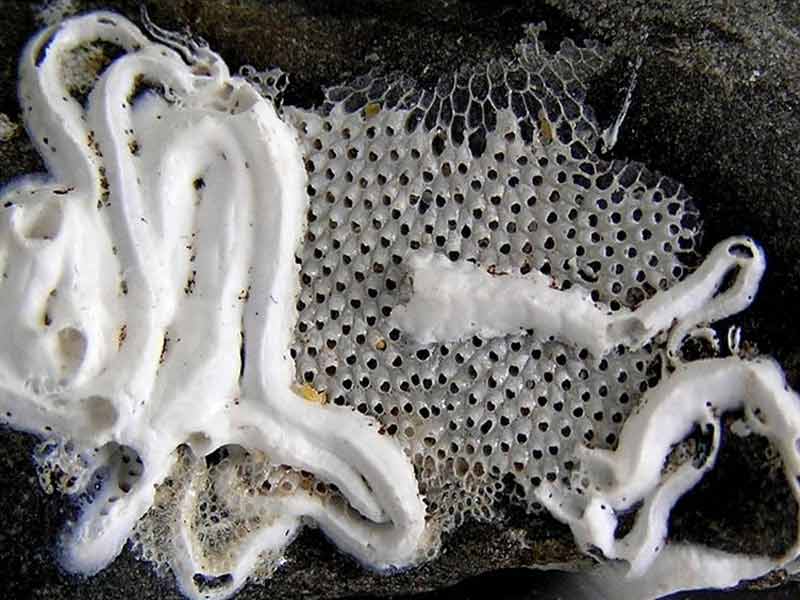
pixel 389 176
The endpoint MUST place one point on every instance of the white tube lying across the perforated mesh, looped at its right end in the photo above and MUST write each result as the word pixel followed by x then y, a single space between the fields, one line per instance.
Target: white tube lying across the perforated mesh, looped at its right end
pixel 453 301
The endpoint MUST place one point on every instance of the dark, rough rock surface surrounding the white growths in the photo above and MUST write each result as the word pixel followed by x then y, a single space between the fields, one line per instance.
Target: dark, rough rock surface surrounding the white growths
pixel 717 106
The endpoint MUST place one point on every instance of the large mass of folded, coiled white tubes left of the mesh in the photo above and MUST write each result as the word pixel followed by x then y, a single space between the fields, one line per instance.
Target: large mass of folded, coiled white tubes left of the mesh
pixel 149 289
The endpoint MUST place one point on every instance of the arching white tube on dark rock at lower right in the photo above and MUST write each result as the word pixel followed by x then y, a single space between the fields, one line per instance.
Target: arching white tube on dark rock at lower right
pixel 697 394
